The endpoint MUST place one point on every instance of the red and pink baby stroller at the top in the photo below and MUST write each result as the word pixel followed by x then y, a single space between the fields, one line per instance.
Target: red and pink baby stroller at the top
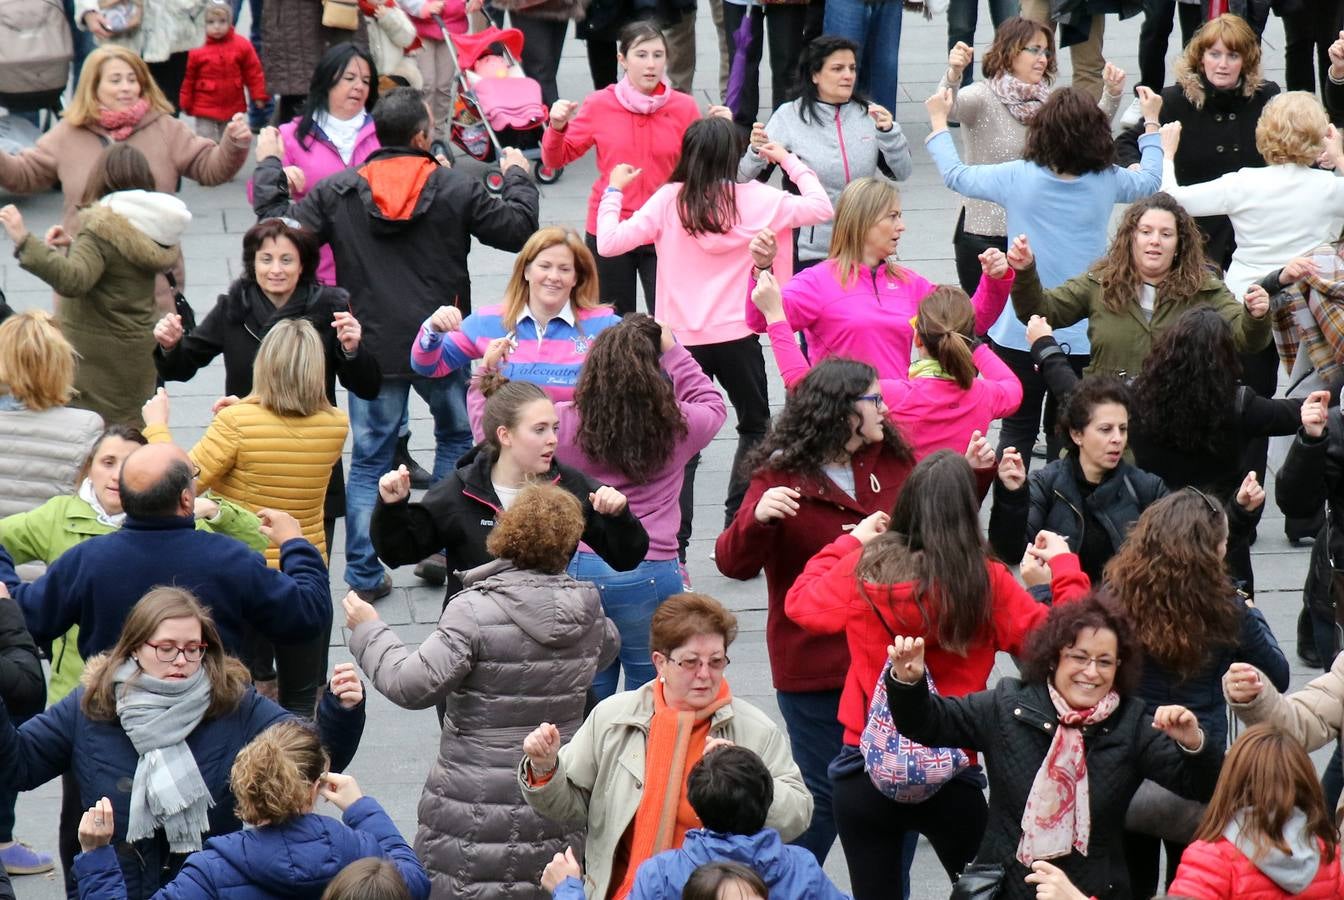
pixel 497 104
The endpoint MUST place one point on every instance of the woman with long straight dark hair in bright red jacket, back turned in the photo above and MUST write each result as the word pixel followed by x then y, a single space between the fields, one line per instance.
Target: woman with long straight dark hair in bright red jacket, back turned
pixel 924 570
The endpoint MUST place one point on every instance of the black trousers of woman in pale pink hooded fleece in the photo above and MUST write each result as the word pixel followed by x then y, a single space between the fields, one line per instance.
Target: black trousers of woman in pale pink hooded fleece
pixel 740 367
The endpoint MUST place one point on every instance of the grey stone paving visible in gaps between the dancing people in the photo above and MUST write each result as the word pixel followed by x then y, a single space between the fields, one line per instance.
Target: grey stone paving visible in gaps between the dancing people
pixel 400 746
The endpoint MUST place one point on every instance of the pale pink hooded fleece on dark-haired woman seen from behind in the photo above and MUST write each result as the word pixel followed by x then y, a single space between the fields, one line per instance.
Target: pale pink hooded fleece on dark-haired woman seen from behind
pixel 701 277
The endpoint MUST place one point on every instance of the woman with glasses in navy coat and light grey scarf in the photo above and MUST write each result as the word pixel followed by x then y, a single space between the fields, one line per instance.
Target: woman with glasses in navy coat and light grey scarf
pixel 155 727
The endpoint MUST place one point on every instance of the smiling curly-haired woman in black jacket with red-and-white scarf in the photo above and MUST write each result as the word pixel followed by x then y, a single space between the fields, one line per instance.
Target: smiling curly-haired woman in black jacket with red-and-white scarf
pixel 1066 748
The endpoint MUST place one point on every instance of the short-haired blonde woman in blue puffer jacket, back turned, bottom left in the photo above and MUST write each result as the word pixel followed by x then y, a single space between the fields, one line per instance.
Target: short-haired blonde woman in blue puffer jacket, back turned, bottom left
pixel 278 781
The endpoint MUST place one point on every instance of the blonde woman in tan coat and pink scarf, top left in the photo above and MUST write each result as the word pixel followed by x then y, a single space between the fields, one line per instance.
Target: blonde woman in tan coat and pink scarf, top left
pixel 118 100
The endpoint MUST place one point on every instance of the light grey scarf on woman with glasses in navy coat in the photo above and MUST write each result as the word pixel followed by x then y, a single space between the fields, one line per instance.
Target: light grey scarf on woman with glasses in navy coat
pixel 169 792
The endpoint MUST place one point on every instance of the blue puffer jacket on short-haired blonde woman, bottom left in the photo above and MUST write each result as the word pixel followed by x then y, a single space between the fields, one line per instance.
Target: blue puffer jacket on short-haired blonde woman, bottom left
pixel 292 860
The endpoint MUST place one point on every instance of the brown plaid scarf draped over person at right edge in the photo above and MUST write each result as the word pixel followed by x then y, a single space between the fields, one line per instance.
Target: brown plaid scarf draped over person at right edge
pixel 1311 315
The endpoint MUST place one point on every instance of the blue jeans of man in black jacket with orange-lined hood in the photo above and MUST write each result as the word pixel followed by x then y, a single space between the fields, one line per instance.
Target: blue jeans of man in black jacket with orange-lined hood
pixel 374 426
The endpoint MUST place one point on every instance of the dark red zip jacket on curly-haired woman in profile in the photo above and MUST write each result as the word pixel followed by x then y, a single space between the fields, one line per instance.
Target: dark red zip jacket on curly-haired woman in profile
pixel 799 660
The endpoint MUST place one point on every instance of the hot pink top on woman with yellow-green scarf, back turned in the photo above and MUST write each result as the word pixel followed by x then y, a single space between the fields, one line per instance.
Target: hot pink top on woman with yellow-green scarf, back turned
pixel 932 413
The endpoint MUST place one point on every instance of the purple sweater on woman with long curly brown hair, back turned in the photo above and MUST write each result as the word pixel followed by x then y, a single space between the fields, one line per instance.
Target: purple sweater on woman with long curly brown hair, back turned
pixel 655 500
